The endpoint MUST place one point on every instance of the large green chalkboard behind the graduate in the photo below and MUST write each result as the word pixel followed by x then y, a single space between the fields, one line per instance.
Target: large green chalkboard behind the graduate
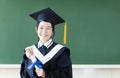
pixel 92 35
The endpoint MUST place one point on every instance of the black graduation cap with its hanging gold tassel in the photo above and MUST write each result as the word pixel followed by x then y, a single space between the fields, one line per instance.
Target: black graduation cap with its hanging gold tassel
pixel 49 15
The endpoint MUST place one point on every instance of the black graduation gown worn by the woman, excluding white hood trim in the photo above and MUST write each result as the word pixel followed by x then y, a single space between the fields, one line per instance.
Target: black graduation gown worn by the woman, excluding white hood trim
pixel 59 66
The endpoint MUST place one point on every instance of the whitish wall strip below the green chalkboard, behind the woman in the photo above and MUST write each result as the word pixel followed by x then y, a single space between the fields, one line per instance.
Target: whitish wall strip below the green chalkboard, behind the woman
pixel 79 71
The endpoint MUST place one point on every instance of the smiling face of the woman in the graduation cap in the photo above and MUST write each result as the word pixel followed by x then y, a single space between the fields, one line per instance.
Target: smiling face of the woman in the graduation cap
pixel 44 31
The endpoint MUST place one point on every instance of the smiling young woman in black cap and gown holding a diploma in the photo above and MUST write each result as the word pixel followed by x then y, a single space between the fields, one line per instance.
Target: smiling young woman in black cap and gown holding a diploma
pixel 53 58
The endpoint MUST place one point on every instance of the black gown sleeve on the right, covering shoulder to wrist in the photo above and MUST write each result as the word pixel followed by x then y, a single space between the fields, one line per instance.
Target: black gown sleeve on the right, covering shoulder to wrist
pixel 64 66
